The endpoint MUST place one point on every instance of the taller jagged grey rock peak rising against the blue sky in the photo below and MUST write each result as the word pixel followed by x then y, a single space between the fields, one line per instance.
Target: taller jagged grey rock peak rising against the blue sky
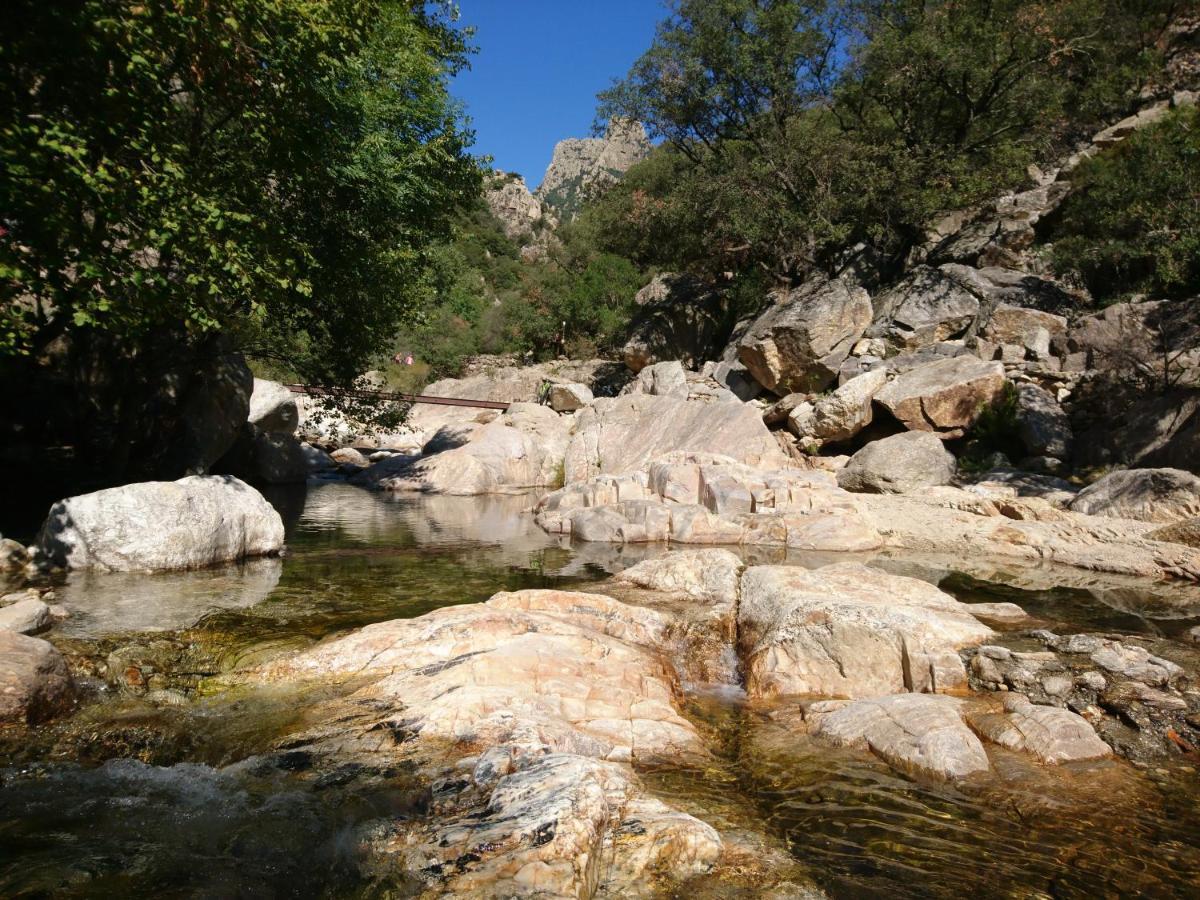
pixel 583 166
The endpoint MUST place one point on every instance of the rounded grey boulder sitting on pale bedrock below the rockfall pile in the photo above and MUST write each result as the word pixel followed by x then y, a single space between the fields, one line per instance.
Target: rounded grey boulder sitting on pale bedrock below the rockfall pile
pixel 901 464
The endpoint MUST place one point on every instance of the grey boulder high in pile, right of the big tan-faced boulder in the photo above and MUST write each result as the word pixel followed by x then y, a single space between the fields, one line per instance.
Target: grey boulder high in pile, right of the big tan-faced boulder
pixel 928 307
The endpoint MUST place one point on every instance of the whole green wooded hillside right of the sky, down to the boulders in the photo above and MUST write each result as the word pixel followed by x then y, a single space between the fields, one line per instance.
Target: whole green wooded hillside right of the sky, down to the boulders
pixel 797 139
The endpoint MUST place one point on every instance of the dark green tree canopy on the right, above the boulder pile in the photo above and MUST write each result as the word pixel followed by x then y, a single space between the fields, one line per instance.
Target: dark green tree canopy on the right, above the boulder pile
pixel 799 129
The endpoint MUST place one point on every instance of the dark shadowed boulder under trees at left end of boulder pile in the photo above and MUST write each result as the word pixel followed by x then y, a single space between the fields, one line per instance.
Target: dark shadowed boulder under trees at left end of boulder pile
pixel 677 319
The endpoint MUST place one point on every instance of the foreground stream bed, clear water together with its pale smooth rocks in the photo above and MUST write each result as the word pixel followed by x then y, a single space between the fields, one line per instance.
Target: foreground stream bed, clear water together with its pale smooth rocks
pixel 433 695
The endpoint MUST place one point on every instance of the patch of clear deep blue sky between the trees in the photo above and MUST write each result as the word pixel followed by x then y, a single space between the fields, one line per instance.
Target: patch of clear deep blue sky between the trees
pixel 539 68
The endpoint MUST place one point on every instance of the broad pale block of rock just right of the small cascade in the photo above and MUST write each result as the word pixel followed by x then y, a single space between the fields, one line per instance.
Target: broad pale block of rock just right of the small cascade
pixel 849 631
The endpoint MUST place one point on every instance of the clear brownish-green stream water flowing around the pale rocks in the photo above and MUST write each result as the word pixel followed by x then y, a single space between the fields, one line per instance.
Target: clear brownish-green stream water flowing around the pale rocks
pixel 137 797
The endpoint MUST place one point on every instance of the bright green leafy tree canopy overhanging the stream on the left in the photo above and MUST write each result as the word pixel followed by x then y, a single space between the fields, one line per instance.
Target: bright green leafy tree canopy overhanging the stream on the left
pixel 273 170
